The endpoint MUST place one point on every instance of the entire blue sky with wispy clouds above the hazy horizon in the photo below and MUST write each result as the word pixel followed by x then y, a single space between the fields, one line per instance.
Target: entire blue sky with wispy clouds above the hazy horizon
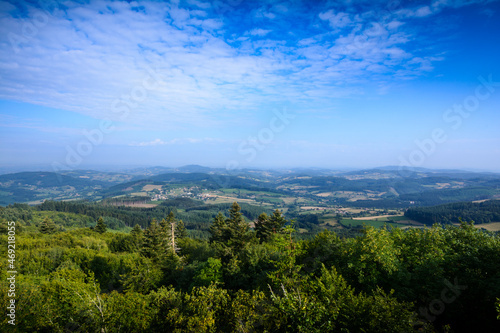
pixel 241 84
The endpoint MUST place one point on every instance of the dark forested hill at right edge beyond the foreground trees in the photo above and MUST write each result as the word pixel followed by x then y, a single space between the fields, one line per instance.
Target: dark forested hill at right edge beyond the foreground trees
pixel 480 212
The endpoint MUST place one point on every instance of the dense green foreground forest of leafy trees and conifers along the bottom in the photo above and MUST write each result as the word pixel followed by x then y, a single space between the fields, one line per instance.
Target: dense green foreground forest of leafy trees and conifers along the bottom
pixel 157 278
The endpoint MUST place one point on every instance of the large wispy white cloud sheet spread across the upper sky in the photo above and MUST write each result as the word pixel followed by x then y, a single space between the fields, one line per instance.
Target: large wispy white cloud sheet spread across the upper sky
pixel 87 57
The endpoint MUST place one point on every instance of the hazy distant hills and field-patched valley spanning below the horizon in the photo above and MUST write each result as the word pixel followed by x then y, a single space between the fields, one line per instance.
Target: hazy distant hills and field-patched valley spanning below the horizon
pixel 375 188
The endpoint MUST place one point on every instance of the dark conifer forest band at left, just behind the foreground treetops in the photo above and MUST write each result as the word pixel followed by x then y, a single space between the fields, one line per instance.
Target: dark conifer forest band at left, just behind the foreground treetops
pixel 195 214
